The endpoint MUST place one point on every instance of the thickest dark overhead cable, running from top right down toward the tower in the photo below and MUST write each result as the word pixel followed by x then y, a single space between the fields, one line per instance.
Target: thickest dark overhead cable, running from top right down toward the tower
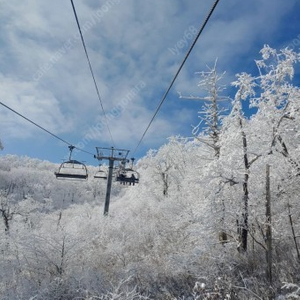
pixel 177 73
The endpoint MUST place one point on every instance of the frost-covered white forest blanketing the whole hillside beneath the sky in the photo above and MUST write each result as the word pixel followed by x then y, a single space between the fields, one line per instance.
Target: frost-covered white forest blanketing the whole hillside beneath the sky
pixel 215 216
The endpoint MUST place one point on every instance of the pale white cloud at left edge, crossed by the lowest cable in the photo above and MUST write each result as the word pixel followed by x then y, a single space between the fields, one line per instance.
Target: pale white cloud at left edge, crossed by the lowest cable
pixel 37 105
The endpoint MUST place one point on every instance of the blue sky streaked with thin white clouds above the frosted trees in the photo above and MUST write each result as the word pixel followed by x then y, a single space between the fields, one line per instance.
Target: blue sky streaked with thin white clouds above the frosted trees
pixel 135 48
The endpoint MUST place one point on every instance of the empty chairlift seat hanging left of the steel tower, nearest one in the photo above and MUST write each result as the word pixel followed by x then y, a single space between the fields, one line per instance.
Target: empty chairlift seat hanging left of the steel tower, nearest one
pixel 72 169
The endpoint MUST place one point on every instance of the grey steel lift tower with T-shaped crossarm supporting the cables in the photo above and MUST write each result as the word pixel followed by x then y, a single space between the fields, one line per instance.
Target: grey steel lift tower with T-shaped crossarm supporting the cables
pixel 112 155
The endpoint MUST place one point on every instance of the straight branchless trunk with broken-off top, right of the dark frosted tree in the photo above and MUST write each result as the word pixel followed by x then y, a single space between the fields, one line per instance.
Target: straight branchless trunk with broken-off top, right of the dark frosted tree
pixel 268 227
